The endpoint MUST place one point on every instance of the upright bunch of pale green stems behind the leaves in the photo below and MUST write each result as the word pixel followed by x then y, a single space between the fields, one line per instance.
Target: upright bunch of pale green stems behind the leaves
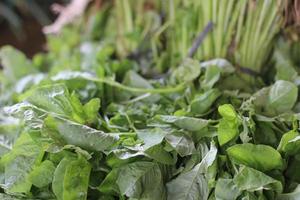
pixel 243 30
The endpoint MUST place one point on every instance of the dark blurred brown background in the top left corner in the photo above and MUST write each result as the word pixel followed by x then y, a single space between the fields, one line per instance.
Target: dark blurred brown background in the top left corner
pixel 28 37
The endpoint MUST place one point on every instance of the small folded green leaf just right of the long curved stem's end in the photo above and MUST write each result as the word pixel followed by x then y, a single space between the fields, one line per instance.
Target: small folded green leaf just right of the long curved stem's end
pixel 203 102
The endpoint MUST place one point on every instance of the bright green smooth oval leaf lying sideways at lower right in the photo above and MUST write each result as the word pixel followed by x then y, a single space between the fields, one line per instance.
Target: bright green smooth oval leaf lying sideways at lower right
pixel 260 157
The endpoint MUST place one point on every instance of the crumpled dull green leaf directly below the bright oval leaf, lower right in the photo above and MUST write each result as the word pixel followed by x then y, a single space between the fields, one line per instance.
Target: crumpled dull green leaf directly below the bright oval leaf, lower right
pixel 252 180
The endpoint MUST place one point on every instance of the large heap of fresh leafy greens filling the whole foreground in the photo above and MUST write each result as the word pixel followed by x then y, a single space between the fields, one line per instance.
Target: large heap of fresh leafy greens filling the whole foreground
pixel 91 120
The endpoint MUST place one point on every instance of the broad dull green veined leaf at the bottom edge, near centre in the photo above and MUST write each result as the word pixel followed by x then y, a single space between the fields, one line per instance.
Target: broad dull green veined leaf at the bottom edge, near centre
pixel 141 180
